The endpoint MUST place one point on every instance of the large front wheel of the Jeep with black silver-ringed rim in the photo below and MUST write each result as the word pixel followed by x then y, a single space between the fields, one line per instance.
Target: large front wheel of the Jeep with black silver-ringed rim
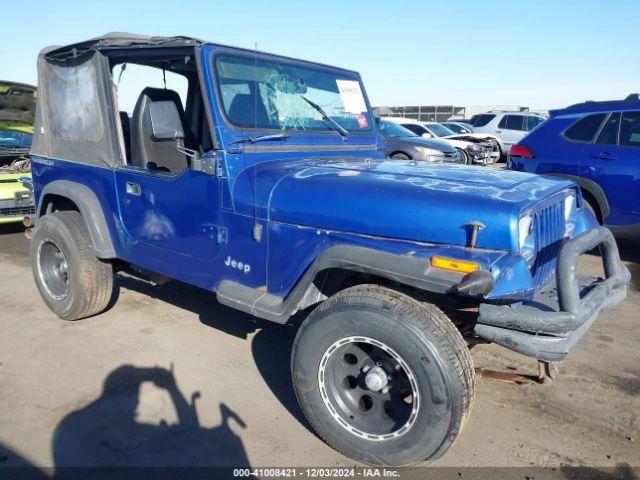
pixel 430 356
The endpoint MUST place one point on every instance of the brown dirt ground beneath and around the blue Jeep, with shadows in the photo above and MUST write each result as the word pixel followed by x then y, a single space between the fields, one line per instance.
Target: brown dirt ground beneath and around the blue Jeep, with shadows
pixel 170 377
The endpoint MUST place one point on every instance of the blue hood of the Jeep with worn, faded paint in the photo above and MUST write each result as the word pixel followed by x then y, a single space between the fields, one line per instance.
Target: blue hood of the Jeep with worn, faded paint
pixel 399 199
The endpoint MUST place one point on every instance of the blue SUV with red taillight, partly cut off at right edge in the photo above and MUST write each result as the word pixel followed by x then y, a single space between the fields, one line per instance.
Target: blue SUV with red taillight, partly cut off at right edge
pixel 597 145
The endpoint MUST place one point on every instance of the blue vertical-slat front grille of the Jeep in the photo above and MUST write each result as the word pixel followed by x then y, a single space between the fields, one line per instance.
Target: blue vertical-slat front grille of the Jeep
pixel 549 228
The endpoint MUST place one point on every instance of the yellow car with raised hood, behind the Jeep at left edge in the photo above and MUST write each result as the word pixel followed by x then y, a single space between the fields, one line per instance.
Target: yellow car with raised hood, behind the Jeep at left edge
pixel 17 114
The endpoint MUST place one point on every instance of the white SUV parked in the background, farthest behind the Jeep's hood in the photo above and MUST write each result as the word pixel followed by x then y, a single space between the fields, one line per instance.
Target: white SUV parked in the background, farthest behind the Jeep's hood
pixel 510 127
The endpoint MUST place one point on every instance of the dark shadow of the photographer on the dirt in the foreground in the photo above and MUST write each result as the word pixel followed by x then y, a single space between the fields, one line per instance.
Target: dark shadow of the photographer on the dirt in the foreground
pixel 104 434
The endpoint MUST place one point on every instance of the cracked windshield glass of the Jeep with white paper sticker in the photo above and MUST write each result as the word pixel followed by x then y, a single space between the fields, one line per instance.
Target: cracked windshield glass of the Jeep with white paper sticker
pixel 276 96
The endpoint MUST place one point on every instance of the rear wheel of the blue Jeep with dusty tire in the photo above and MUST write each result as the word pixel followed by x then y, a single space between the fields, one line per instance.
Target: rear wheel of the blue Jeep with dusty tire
pixel 73 282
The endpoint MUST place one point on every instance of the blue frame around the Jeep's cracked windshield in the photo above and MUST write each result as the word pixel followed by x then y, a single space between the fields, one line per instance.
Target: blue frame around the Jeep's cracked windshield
pixel 355 76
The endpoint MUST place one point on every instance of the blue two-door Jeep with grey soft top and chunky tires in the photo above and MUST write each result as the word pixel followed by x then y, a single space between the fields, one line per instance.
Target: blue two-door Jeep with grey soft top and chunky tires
pixel 270 188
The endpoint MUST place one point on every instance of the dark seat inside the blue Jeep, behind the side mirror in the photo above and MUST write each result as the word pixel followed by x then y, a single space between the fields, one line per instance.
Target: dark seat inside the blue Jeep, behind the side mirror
pixel 154 155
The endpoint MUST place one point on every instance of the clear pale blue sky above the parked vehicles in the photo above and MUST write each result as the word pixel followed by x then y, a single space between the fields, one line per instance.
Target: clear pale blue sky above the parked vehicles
pixel 541 54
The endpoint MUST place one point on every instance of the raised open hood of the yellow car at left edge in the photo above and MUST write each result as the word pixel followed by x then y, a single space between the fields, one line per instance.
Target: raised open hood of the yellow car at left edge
pixel 17 106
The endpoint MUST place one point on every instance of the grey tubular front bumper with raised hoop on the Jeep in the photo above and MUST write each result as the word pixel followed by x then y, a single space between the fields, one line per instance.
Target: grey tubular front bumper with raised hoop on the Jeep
pixel 547 326
